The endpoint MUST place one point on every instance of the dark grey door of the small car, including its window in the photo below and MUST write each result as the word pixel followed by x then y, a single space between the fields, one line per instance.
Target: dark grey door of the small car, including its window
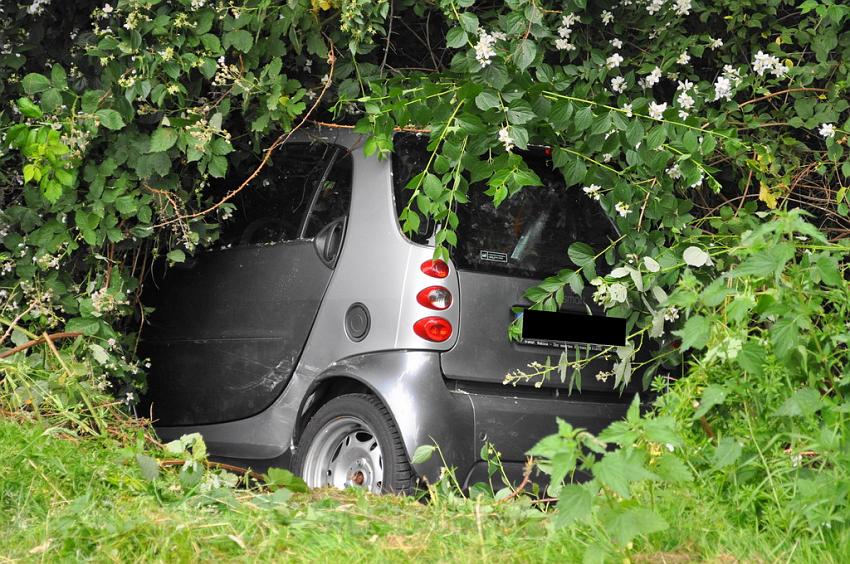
pixel 230 323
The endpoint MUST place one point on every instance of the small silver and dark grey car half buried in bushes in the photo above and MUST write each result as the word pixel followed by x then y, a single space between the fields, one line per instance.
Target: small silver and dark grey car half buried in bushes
pixel 318 336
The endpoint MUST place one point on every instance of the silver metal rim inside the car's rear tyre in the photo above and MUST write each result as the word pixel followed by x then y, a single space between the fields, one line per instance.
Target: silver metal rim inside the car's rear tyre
pixel 345 453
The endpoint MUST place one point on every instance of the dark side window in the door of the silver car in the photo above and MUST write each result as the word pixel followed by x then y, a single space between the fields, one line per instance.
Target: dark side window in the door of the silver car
pixel 272 208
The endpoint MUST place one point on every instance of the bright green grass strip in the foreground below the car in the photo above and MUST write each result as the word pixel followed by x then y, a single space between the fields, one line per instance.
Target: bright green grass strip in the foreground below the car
pixel 65 498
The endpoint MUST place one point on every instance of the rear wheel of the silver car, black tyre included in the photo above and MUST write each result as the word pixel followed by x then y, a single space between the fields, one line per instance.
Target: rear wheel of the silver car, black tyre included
pixel 352 441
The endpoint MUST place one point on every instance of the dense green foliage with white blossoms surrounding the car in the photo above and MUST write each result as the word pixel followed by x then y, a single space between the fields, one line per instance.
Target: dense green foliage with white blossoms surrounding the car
pixel 713 133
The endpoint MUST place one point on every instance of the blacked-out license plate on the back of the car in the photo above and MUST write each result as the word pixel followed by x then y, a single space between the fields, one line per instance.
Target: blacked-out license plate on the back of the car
pixel 559 328
